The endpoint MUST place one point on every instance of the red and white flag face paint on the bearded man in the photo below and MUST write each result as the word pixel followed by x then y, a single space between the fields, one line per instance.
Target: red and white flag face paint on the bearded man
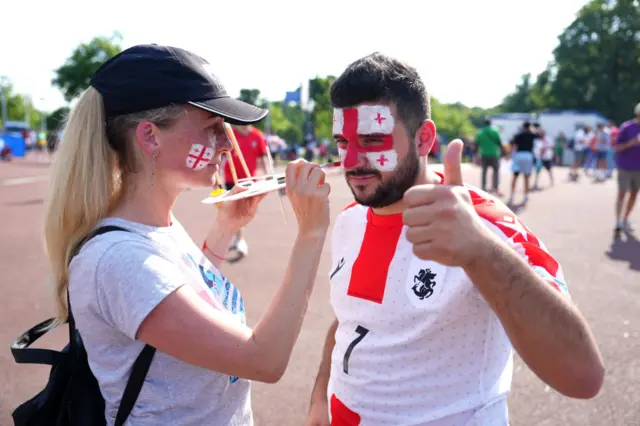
pixel 366 120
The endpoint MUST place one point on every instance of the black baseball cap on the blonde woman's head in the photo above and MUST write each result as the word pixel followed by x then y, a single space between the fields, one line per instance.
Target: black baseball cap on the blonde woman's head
pixel 150 76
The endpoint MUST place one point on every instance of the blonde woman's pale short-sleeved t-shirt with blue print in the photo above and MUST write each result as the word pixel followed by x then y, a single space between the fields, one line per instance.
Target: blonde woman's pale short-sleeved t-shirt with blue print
pixel 115 281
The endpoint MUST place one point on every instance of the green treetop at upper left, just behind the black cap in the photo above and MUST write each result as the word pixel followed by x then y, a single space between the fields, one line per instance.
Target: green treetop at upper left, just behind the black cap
pixel 73 77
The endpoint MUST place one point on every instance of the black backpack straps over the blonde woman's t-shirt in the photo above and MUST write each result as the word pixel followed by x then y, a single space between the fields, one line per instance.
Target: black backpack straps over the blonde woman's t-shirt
pixel 142 363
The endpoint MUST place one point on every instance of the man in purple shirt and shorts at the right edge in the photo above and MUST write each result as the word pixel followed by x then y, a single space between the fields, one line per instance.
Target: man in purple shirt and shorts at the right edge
pixel 628 163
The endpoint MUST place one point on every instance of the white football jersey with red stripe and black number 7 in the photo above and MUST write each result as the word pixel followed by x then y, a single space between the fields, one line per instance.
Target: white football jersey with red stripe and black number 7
pixel 416 343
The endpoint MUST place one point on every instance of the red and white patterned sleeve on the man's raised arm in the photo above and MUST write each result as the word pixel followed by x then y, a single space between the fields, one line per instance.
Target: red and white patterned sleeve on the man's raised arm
pixel 504 223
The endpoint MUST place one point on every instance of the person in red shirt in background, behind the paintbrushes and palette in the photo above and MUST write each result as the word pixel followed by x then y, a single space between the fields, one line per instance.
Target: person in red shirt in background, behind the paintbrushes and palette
pixel 253 146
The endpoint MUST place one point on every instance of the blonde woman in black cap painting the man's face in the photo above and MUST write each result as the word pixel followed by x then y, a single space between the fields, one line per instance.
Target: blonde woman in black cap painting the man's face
pixel 151 125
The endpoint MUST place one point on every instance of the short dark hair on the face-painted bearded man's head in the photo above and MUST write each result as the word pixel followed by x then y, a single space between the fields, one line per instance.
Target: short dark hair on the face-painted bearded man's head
pixel 378 77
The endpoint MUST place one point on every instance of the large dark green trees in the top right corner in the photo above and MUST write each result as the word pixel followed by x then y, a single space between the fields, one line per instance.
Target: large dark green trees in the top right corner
pixel 595 65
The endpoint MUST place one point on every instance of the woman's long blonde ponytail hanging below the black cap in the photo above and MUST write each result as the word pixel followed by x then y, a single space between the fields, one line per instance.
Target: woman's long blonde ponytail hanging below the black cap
pixel 91 171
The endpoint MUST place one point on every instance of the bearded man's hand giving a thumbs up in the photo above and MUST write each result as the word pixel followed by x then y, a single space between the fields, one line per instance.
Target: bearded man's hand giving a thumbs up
pixel 442 223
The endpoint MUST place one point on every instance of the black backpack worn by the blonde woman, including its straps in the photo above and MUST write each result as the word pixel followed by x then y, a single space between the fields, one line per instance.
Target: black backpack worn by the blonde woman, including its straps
pixel 72 396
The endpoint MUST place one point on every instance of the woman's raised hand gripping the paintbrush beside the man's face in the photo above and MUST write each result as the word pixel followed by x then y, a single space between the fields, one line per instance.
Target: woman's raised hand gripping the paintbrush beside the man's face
pixel 309 196
